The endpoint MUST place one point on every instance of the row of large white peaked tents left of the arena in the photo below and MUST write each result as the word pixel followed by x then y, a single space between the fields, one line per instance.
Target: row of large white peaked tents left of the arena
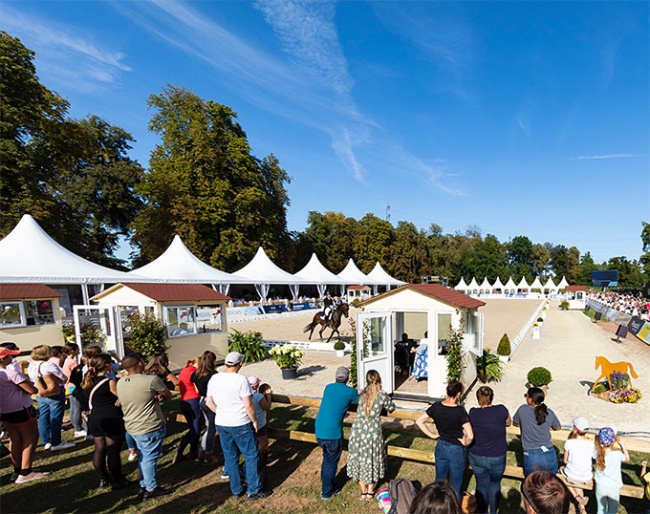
pixel 29 255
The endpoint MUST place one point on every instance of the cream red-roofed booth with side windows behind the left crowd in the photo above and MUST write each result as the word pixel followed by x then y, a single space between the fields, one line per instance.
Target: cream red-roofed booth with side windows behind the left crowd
pixel 194 316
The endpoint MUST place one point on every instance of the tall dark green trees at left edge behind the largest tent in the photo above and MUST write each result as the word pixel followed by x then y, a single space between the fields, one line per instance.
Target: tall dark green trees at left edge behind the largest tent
pixel 74 176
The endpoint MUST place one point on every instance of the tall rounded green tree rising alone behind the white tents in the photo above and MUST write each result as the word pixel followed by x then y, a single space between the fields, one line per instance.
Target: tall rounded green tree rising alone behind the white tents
pixel 205 185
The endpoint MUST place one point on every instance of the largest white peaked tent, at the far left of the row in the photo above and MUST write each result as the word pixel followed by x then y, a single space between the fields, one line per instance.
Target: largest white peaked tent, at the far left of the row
pixel 29 255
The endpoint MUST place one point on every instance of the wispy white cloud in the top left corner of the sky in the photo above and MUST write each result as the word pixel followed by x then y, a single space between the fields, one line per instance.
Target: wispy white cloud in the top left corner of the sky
pixel 64 54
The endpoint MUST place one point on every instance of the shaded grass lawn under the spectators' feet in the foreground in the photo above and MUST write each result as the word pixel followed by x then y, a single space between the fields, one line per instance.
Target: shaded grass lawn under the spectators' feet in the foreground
pixel 293 475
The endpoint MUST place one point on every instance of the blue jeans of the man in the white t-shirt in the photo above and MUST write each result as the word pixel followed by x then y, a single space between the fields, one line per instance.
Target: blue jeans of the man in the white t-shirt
pixel 236 440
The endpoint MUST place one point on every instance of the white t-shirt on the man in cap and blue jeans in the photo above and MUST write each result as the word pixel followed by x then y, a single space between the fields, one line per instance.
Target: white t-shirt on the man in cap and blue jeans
pixel 227 391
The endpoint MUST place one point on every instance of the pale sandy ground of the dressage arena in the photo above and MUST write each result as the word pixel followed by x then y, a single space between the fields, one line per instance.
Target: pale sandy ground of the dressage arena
pixel 568 347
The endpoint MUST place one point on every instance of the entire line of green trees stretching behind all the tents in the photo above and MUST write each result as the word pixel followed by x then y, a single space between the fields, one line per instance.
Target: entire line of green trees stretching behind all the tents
pixel 204 183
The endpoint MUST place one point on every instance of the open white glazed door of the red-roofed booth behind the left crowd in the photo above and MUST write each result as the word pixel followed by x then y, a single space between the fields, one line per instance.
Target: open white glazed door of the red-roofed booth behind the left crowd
pixel 102 320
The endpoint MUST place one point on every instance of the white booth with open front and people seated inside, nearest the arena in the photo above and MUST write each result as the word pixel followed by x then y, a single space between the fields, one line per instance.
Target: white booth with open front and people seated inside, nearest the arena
pixel 424 310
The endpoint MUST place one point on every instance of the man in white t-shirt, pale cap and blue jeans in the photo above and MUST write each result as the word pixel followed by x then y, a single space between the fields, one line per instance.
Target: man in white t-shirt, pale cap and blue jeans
pixel 230 397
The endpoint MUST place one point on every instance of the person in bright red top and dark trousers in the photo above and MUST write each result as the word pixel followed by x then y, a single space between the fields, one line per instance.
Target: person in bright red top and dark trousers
pixel 191 409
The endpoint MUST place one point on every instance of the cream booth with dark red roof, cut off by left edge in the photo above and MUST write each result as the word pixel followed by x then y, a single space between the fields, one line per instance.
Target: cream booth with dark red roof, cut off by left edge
pixel 30 315
